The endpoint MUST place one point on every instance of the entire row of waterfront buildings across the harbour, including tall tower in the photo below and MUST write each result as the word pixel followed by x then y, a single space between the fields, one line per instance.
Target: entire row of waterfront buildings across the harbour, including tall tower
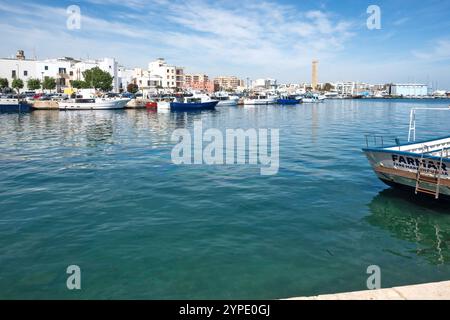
pixel 159 75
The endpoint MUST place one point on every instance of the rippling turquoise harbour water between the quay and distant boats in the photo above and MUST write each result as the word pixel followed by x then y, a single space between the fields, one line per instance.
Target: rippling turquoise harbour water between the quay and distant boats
pixel 98 190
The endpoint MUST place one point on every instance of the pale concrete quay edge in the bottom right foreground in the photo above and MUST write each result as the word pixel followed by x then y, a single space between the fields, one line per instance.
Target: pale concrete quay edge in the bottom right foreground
pixel 429 291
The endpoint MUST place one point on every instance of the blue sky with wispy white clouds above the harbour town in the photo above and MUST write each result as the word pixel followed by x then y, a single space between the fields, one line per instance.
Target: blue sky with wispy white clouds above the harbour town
pixel 247 38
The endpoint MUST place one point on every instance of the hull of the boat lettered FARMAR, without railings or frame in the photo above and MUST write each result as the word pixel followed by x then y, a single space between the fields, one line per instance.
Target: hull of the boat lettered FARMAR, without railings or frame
pixel 397 168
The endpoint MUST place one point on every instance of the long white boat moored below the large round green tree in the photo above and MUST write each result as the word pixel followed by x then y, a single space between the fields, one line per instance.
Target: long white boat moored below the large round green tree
pixel 93 104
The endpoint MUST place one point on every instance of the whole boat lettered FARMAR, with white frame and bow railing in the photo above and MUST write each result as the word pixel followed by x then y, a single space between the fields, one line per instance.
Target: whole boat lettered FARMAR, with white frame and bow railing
pixel 422 167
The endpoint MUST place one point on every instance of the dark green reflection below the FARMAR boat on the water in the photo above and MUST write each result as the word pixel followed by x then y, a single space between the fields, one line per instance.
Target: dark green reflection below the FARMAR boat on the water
pixel 422 221
